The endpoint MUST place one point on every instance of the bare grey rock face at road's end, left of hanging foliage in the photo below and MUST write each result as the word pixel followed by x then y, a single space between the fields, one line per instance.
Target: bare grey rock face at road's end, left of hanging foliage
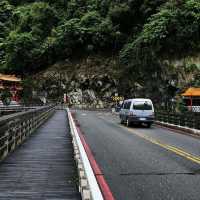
pixel 90 83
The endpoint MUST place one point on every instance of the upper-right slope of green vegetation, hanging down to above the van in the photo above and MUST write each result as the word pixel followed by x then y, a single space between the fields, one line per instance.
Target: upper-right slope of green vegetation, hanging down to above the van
pixel 171 32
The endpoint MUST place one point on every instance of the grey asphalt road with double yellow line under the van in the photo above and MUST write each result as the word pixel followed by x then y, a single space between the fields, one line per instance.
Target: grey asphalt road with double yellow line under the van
pixel 140 163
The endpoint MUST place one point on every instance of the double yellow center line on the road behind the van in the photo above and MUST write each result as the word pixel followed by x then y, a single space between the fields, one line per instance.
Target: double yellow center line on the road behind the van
pixel 173 149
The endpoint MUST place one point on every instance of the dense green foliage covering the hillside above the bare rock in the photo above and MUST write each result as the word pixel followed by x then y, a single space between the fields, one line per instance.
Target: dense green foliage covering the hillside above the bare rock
pixel 38 33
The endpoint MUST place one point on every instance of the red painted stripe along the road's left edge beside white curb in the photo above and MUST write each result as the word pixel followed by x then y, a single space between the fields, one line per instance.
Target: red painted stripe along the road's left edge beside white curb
pixel 107 194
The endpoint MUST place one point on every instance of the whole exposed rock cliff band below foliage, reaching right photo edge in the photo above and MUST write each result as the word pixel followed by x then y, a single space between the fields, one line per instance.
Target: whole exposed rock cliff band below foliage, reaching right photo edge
pixel 91 82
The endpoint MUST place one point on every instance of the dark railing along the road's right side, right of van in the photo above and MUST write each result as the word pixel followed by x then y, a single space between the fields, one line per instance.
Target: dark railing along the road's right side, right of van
pixel 188 119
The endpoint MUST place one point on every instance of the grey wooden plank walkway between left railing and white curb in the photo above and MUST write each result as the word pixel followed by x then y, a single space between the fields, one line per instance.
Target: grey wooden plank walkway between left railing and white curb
pixel 43 167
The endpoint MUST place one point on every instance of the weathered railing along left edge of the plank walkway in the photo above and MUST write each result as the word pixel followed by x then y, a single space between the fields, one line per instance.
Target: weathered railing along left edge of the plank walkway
pixel 15 128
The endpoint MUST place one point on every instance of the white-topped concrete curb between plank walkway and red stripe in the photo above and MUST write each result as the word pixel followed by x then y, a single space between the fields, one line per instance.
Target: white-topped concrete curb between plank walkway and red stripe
pixel 88 185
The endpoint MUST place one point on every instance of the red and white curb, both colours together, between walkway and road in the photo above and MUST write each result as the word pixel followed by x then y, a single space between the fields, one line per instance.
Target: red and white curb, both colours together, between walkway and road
pixel 92 184
